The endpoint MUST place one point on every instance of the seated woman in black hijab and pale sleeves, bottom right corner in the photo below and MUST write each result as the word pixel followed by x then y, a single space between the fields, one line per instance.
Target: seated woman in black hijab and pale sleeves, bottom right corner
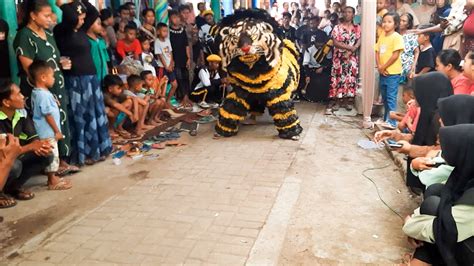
pixel 446 216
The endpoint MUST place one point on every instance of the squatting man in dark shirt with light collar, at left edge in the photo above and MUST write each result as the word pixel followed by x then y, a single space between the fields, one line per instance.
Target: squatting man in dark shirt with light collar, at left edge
pixel 34 154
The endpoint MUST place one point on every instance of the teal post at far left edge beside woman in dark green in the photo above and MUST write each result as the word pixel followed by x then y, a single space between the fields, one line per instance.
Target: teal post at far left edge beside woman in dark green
pixel 8 13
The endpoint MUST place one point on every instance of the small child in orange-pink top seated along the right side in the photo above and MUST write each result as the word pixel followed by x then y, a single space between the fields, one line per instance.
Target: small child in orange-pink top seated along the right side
pixel 407 122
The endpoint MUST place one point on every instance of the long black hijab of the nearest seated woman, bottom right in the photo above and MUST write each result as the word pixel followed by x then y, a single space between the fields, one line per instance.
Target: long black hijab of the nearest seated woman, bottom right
pixel 457 144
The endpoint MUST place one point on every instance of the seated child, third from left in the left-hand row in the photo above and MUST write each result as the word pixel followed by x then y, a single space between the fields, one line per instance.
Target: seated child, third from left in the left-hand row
pixel 156 91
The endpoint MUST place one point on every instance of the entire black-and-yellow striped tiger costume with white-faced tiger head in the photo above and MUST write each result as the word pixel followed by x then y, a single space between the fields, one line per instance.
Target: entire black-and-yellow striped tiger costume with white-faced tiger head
pixel 263 70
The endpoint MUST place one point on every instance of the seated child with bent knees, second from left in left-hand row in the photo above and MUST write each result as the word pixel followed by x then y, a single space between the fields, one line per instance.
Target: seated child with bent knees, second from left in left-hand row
pixel 141 103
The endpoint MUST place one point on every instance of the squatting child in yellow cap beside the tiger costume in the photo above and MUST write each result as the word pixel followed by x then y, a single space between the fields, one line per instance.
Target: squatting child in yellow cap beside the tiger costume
pixel 208 84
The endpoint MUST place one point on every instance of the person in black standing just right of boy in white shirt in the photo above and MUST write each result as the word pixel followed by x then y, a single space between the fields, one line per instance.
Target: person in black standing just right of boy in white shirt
pixel 181 57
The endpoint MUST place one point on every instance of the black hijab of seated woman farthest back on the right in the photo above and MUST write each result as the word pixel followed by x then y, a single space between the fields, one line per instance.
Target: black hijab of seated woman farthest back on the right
pixel 428 89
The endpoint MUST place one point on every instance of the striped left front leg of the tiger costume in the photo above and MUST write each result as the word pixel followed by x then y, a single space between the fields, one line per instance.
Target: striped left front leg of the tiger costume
pixel 235 109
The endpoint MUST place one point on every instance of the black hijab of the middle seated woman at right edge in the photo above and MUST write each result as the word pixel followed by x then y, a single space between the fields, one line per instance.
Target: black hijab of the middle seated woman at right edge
pixel 457 109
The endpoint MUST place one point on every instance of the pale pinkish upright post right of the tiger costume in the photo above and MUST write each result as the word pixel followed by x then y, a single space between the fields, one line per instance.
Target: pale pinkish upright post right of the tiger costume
pixel 367 62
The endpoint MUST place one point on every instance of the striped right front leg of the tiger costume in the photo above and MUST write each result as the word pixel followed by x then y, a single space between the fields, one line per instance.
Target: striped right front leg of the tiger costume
pixel 282 109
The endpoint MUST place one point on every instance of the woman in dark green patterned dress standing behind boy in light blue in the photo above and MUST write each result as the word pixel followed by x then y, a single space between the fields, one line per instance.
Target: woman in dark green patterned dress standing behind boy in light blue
pixel 35 42
